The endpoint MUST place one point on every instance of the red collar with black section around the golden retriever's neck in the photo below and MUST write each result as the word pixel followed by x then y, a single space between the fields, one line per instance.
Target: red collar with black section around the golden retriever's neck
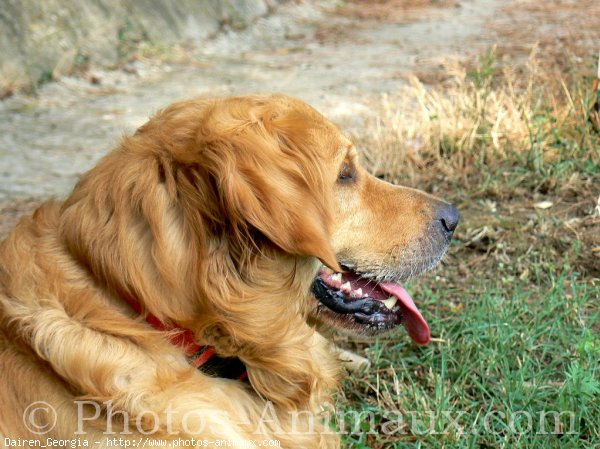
pixel 203 357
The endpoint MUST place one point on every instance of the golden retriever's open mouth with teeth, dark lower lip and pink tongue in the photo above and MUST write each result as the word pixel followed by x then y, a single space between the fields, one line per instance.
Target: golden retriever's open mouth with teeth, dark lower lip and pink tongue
pixel 377 305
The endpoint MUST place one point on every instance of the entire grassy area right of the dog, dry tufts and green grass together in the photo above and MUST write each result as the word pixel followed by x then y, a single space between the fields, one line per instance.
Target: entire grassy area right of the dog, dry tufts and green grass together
pixel 514 310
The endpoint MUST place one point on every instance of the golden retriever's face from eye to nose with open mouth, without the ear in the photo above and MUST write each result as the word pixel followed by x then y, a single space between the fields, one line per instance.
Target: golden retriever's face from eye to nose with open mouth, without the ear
pixel 383 235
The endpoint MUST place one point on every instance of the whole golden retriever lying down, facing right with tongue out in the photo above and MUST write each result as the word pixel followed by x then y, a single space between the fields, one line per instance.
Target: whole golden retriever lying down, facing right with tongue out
pixel 237 225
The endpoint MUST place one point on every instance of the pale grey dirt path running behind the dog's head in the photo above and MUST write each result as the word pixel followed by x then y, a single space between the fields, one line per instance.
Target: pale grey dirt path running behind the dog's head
pixel 337 62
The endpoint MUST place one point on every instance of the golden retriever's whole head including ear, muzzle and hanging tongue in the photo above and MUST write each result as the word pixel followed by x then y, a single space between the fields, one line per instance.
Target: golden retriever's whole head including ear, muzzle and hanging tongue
pixel 286 171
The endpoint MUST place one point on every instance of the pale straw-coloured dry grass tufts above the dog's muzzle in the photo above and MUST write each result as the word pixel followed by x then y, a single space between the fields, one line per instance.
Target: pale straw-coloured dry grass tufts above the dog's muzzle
pixel 490 118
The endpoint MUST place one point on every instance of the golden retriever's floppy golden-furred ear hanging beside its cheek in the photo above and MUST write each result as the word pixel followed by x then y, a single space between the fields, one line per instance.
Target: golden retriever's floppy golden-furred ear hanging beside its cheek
pixel 264 184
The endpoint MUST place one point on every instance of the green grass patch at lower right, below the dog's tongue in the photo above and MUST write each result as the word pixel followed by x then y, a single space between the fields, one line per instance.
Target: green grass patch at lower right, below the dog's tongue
pixel 499 355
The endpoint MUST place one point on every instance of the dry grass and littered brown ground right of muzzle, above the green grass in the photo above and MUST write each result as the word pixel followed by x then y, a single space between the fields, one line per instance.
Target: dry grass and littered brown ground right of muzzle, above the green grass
pixel 499 140
